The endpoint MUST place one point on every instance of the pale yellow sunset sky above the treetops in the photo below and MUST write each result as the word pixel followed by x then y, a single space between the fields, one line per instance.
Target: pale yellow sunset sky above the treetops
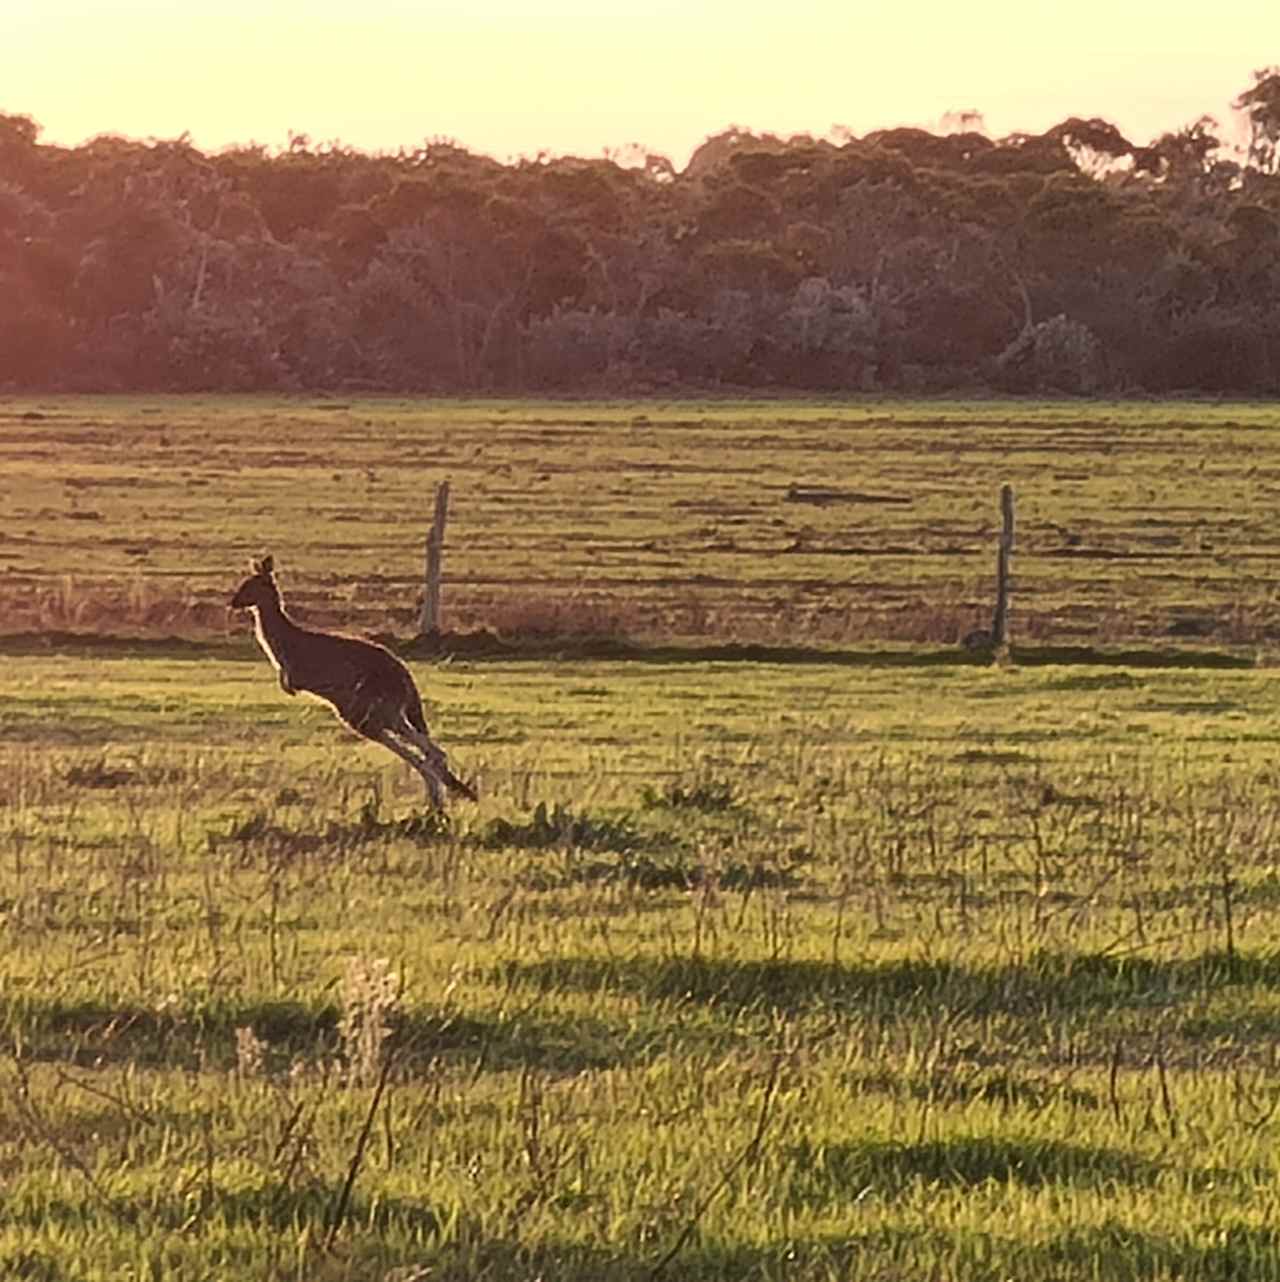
pixel 577 78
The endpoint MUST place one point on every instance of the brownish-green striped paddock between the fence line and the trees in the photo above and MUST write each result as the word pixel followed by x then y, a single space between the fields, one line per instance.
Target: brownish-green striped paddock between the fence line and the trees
pixel 648 520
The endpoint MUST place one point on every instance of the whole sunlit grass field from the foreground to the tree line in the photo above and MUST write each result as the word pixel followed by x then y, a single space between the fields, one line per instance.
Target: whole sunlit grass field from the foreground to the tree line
pixel 877 963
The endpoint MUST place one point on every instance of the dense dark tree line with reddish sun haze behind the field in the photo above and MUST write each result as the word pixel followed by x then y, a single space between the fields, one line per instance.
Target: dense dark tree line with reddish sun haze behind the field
pixel 1072 261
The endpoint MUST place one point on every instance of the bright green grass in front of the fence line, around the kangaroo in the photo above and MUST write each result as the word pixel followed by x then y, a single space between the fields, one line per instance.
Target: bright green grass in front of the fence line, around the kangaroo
pixel 802 972
